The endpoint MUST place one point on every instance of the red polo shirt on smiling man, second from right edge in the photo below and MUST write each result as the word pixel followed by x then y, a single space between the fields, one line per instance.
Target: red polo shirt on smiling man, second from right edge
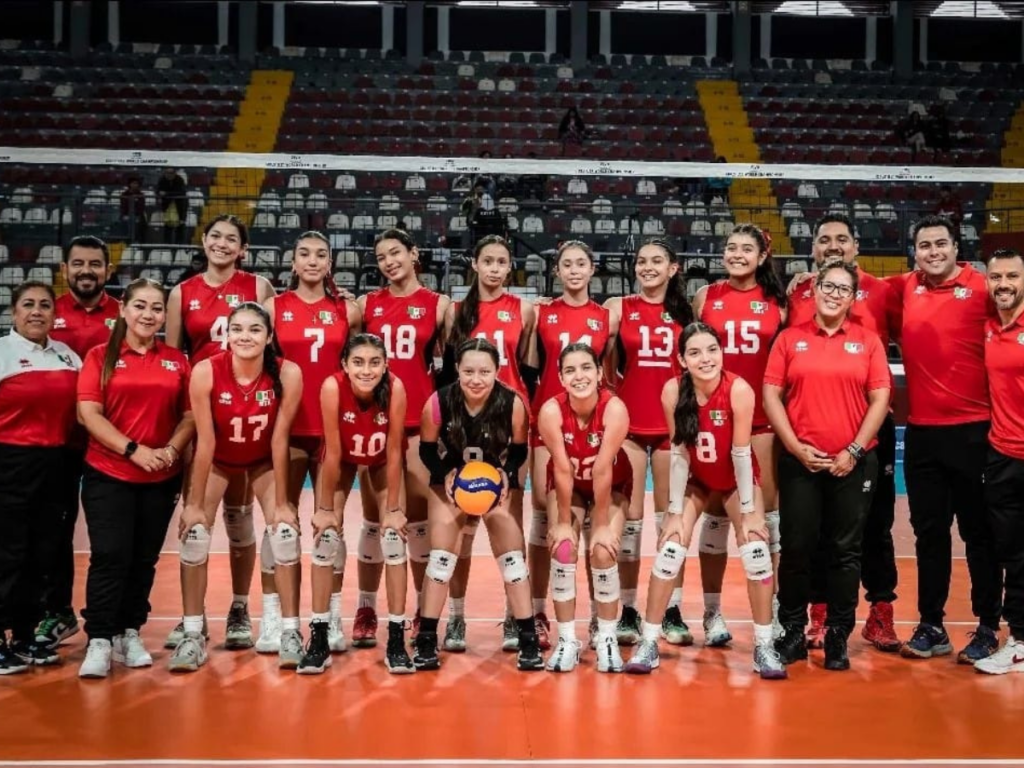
pixel 944 343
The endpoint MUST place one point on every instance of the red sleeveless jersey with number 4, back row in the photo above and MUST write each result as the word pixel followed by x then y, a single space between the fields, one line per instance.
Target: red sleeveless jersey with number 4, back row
pixel 205 310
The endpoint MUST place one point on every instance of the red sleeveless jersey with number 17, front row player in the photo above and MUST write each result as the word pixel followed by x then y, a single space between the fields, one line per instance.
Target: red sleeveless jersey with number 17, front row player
pixel 243 417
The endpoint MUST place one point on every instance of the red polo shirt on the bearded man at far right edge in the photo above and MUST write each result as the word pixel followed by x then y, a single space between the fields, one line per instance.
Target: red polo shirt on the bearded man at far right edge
pixel 1005 364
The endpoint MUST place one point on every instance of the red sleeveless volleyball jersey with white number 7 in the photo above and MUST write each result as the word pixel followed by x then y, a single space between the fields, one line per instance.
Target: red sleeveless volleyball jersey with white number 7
pixel 312 336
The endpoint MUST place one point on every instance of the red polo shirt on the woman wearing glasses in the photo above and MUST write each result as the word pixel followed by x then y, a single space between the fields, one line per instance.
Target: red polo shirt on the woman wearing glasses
pixel 826 381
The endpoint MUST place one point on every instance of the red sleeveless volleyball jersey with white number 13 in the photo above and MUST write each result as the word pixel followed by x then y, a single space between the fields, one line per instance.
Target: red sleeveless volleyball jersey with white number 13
pixel 649 344
